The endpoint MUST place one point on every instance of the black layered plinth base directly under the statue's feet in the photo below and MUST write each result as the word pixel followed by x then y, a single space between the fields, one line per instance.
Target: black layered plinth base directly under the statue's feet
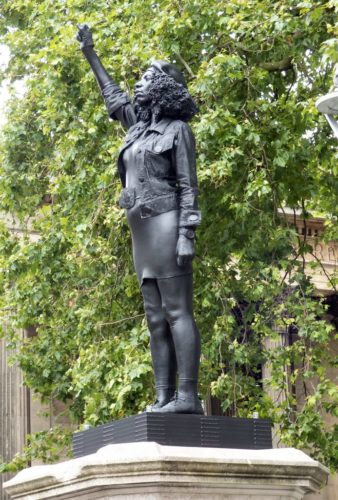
pixel 177 430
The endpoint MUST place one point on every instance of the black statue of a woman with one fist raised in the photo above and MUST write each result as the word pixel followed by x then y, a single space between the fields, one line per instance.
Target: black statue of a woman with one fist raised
pixel 158 174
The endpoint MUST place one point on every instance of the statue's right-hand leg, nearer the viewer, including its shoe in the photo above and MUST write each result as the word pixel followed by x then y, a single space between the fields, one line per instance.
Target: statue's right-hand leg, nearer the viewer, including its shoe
pixel 177 300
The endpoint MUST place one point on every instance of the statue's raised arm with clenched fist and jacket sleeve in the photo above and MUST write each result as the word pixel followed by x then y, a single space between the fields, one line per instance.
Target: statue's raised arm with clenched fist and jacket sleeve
pixel 117 102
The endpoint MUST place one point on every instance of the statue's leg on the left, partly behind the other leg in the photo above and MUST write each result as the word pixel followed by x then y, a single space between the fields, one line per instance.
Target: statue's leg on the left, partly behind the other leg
pixel 161 343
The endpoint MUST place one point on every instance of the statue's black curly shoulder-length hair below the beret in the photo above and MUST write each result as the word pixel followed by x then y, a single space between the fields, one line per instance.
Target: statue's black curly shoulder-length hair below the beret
pixel 168 99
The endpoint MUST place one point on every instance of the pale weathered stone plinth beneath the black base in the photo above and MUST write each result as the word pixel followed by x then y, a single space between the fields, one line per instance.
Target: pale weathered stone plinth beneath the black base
pixel 152 471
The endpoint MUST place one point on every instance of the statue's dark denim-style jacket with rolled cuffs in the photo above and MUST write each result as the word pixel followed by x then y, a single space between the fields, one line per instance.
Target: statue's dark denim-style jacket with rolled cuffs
pixel 167 165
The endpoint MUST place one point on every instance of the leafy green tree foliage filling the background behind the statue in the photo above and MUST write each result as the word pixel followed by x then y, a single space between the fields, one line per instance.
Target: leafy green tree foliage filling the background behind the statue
pixel 255 69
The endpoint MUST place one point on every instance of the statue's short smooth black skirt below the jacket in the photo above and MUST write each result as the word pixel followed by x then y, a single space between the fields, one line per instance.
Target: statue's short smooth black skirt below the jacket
pixel 154 245
